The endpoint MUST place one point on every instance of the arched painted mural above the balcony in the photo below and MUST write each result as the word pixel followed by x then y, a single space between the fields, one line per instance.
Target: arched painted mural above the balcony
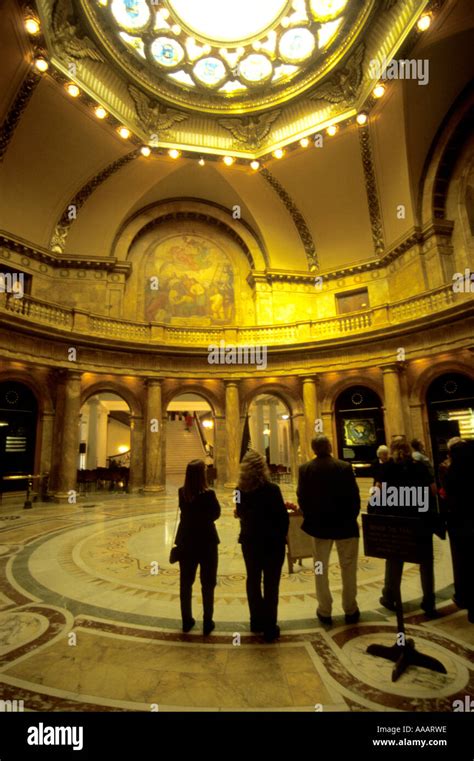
pixel 195 280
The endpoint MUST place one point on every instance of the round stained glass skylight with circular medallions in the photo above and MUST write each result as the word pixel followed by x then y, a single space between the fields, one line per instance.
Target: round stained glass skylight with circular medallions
pixel 226 48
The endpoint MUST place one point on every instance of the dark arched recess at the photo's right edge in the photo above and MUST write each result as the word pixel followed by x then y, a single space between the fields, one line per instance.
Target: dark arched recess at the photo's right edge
pixel 450 405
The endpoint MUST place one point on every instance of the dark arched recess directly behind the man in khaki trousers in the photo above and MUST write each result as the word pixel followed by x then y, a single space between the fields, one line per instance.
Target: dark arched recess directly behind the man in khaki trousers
pixel 359 426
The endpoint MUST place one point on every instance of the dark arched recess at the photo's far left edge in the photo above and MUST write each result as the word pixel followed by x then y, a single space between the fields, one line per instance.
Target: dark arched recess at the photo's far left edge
pixel 18 427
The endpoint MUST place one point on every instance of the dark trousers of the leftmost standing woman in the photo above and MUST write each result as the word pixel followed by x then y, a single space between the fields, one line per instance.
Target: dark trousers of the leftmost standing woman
pixel 206 559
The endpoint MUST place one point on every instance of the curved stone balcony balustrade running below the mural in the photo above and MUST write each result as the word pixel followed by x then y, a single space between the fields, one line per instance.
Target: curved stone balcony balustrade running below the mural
pixel 81 322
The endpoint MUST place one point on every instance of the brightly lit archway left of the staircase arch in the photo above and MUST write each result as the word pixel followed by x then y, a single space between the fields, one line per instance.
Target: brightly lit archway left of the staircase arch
pixel 105 443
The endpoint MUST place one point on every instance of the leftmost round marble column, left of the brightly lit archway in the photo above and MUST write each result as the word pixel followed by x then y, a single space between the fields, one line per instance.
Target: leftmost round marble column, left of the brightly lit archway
pixel 67 470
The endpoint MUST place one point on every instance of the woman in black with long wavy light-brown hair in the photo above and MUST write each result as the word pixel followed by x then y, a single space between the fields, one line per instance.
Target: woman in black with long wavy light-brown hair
pixel 264 527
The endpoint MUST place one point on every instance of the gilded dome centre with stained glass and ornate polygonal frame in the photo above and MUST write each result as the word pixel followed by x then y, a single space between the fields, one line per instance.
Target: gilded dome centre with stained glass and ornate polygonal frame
pixel 222 76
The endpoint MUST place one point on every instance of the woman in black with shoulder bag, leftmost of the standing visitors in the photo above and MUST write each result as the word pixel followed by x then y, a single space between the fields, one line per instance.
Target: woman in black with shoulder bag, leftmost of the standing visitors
pixel 197 540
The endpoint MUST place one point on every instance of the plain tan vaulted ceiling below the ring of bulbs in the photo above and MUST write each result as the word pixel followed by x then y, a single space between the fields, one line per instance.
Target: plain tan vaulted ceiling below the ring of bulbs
pixel 55 149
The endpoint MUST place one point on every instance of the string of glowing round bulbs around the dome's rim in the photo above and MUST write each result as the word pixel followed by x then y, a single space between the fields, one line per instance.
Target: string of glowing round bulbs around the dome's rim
pixel 32 26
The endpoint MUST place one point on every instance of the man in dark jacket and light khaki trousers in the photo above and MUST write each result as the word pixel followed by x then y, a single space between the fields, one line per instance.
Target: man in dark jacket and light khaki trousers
pixel 329 499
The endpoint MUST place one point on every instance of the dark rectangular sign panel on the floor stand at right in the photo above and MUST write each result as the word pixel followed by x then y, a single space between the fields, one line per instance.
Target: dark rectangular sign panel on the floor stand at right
pixel 388 536
